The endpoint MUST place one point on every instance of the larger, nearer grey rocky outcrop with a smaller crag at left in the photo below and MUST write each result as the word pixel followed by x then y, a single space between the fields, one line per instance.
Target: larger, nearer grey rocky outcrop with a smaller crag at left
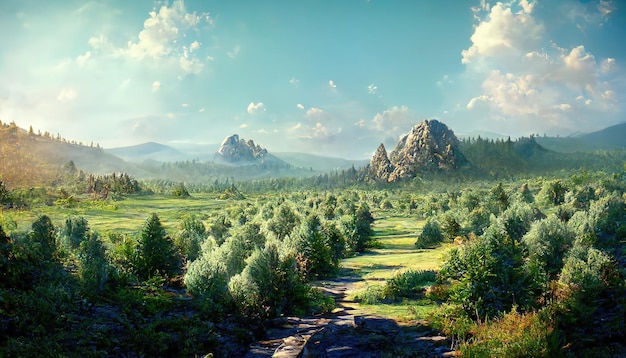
pixel 429 147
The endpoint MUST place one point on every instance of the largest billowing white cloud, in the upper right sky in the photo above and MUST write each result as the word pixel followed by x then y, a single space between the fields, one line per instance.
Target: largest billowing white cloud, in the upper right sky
pixel 530 82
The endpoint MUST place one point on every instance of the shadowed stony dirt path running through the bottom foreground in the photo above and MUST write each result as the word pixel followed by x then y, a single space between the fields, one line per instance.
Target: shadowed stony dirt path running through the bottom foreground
pixel 348 332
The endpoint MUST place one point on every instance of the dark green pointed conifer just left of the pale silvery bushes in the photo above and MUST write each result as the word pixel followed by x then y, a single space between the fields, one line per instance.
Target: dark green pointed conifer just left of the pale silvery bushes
pixel 157 253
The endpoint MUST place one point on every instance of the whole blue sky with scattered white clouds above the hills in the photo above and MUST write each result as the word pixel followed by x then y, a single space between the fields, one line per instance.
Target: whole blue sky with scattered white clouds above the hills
pixel 324 77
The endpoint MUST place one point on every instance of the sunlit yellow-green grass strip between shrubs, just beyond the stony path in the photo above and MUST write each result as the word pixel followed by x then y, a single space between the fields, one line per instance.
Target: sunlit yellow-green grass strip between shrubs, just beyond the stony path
pixel 397 251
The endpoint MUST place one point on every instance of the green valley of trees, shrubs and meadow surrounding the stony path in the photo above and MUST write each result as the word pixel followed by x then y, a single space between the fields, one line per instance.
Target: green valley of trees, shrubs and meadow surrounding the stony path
pixel 521 252
